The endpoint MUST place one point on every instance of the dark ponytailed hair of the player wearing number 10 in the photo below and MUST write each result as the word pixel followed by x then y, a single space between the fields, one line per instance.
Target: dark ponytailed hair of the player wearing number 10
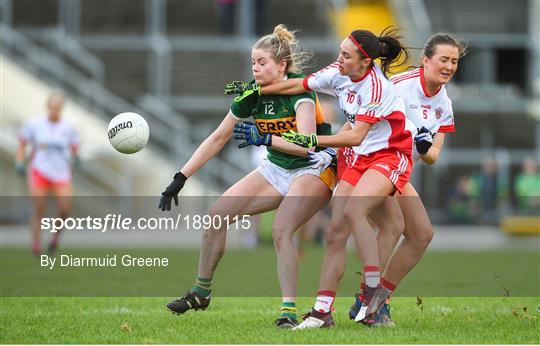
pixel 386 47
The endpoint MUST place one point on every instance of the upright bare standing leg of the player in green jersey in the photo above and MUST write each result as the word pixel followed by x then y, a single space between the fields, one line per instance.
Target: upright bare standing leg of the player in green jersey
pixel 307 195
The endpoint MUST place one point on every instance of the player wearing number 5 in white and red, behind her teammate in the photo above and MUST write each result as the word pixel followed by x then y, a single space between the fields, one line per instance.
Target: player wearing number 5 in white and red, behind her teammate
pixel 429 107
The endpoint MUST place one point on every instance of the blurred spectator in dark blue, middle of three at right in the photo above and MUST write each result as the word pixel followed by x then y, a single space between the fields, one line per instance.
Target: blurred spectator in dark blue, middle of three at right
pixel 487 189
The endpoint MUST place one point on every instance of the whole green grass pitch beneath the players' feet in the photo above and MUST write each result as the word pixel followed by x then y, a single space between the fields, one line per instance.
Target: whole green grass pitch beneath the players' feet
pixel 437 303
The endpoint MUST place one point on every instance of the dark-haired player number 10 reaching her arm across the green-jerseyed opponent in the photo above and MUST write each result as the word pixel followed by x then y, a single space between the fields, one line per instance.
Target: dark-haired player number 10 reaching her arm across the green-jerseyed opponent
pixel 378 162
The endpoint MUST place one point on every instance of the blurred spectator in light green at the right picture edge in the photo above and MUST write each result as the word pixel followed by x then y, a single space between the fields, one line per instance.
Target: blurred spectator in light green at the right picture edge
pixel 527 187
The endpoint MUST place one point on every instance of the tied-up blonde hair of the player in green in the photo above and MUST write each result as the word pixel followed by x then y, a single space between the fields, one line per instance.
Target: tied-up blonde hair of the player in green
pixel 282 44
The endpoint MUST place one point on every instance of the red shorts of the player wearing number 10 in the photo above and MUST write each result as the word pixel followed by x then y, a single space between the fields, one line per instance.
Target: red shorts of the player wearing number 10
pixel 393 164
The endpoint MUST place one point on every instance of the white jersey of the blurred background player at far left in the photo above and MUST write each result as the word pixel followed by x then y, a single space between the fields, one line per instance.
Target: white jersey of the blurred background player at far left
pixel 51 144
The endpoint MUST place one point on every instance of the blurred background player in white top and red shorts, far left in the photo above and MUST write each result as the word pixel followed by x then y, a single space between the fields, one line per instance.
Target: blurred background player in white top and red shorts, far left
pixel 54 143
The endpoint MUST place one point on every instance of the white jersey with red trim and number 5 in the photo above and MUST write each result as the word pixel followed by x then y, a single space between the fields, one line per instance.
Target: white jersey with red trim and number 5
pixel 434 112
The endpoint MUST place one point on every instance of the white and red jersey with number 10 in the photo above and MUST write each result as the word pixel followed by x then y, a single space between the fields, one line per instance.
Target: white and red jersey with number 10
pixel 372 99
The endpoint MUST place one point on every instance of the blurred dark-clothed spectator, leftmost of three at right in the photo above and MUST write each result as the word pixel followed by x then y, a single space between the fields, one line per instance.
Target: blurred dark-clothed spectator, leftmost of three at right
pixel 461 208
